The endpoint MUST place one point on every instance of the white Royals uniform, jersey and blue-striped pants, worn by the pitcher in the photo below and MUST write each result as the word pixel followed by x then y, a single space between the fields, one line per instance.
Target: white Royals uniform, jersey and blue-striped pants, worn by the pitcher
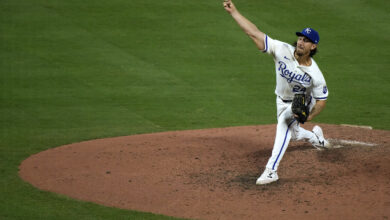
pixel 292 78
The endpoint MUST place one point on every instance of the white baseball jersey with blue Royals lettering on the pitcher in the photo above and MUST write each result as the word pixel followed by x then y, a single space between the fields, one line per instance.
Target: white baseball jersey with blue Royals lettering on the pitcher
pixel 292 78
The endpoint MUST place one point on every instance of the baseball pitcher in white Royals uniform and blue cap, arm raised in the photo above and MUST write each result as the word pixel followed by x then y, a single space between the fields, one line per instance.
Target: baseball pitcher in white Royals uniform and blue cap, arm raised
pixel 301 90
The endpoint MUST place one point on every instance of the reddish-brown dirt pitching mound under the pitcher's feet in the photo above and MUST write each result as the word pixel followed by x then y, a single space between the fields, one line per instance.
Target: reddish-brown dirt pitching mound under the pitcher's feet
pixel 211 174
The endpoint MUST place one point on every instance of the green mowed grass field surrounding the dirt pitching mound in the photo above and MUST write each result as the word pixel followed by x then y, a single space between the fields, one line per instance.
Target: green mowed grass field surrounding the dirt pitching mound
pixel 79 70
